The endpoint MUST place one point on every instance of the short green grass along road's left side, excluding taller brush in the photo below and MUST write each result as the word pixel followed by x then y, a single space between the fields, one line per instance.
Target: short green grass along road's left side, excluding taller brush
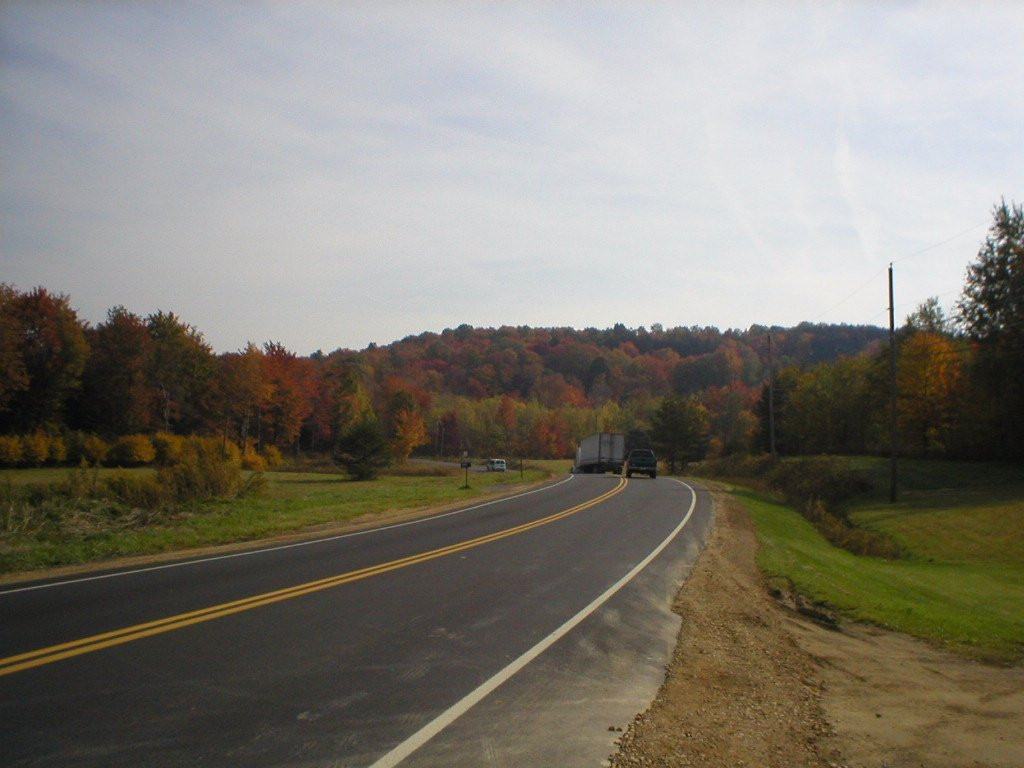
pixel 293 502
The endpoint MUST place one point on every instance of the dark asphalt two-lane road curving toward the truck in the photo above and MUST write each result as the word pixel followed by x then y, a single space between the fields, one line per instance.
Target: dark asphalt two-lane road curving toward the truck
pixel 508 633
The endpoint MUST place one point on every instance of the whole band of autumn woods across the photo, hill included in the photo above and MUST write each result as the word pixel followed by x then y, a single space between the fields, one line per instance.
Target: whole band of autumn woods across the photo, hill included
pixel 527 392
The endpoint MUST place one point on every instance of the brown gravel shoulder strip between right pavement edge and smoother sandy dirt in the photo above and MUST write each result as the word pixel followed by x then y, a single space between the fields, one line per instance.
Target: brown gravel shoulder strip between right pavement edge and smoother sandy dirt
pixel 739 690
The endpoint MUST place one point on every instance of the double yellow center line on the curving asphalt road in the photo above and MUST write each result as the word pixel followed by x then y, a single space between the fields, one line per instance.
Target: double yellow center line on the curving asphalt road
pixel 54 654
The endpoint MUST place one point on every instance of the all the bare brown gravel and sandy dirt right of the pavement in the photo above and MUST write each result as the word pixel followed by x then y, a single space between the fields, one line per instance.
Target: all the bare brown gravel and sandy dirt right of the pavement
pixel 753 684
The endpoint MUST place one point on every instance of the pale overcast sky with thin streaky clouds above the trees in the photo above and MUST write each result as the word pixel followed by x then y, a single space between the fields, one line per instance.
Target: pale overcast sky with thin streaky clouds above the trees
pixel 333 175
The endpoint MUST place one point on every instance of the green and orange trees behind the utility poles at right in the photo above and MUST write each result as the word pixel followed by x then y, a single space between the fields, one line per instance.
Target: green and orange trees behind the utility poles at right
pixel 960 380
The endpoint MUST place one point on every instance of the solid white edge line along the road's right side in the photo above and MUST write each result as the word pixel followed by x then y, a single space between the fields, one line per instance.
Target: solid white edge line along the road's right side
pixel 443 721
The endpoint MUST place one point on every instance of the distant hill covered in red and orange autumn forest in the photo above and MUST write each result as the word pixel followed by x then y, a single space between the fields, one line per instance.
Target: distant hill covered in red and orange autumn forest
pixel 563 366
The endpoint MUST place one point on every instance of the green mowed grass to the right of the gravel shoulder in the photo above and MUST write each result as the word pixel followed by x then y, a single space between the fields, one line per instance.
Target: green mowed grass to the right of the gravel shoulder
pixel 962 583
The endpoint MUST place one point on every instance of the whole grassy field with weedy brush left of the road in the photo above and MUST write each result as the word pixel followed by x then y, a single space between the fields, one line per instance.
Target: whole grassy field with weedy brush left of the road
pixel 52 518
